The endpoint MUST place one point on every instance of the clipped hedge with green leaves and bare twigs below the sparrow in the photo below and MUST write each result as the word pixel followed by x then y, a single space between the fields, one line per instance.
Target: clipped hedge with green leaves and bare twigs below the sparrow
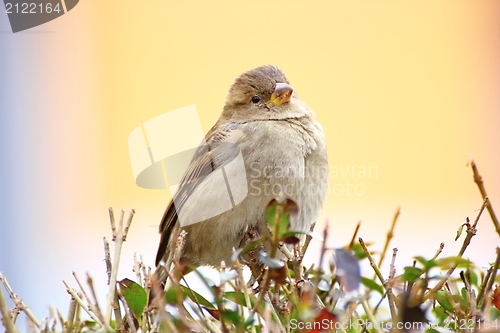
pixel 283 295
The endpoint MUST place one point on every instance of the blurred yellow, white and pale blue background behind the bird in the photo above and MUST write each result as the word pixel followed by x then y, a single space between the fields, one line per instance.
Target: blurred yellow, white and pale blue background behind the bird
pixel 409 89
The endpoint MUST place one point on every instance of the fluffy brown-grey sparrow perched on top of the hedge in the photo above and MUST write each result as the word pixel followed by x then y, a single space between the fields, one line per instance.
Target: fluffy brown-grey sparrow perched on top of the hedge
pixel 283 153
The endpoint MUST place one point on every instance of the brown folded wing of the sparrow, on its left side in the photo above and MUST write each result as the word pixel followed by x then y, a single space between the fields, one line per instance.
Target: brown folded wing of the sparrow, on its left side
pixel 205 160
